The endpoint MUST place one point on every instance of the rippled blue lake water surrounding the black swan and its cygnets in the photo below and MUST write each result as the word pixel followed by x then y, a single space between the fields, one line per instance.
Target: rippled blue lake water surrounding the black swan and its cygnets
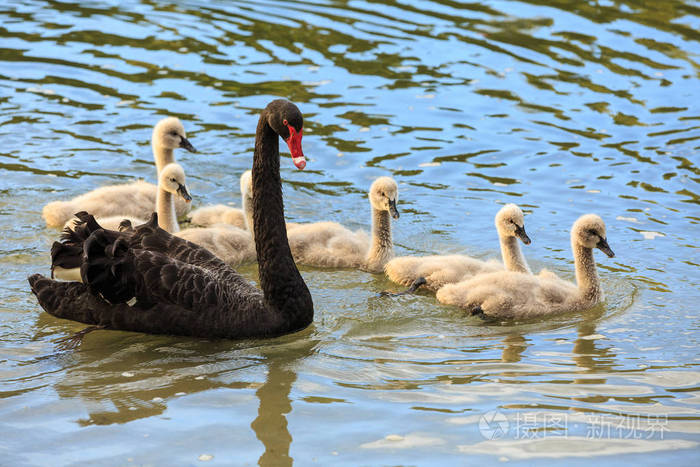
pixel 564 107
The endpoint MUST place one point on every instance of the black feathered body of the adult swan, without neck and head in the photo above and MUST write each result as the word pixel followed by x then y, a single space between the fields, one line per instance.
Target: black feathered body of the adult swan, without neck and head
pixel 146 290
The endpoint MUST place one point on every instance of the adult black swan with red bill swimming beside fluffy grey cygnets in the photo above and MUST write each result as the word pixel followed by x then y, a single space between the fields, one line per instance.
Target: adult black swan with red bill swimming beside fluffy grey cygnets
pixel 146 280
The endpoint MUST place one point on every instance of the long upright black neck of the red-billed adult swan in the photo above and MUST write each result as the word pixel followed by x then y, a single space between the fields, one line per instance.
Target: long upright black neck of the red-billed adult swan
pixel 280 280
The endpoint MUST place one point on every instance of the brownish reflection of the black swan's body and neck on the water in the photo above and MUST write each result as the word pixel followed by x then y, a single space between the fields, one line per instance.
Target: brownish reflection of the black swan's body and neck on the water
pixel 179 372
